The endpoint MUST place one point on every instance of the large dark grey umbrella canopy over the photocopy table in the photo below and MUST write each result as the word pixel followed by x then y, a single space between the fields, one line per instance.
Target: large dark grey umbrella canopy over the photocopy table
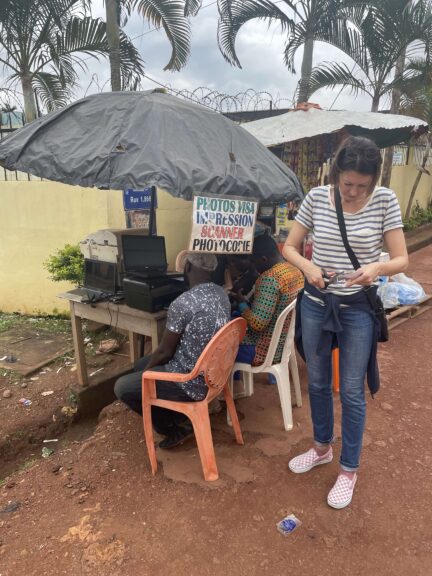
pixel 123 140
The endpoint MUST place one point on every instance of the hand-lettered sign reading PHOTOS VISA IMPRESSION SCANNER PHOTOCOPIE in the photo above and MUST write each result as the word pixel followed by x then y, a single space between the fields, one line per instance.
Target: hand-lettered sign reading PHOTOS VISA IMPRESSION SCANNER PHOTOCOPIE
pixel 223 225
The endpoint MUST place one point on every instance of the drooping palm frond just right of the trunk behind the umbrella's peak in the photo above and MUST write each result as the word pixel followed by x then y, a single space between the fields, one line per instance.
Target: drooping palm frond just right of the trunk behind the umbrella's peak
pixel 169 14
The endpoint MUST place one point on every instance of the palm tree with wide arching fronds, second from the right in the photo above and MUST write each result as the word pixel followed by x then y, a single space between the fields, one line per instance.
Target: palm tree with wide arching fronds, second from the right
pixel 313 20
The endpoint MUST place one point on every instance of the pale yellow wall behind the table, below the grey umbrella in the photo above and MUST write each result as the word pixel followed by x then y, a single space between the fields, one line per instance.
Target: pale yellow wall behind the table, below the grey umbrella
pixel 37 218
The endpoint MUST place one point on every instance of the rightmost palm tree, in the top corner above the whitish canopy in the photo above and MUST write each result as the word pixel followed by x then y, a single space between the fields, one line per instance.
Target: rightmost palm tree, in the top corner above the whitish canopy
pixel 388 29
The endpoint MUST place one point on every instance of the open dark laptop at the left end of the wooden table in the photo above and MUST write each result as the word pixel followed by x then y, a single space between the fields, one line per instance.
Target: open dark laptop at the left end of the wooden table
pixel 99 283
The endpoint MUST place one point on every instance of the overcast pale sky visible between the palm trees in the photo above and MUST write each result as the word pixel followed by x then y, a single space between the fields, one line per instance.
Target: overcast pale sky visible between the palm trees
pixel 259 48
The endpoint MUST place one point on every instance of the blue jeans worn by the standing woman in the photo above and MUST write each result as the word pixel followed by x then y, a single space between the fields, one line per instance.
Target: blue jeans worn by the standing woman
pixel 355 342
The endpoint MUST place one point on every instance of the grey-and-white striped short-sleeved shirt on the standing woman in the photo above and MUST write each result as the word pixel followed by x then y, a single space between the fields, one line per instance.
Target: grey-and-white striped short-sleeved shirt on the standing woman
pixel 365 230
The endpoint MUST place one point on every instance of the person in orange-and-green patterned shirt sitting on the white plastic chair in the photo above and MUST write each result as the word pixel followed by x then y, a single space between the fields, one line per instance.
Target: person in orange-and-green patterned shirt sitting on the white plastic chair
pixel 276 287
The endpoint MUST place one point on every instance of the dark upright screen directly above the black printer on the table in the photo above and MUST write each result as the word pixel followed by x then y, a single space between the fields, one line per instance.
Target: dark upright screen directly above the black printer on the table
pixel 144 255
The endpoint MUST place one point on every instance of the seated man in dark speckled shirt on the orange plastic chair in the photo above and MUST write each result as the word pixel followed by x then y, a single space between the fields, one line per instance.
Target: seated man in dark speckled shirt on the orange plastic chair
pixel 192 320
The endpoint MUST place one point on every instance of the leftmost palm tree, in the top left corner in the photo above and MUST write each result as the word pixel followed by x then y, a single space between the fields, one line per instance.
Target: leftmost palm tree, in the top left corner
pixel 43 42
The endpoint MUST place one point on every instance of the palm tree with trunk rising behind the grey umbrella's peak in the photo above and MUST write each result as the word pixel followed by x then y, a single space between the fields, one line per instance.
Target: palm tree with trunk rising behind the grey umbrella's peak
pixel 168 14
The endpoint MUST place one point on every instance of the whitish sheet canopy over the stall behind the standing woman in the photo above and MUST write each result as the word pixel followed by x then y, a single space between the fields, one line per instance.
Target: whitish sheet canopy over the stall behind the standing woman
pixel 384 129
